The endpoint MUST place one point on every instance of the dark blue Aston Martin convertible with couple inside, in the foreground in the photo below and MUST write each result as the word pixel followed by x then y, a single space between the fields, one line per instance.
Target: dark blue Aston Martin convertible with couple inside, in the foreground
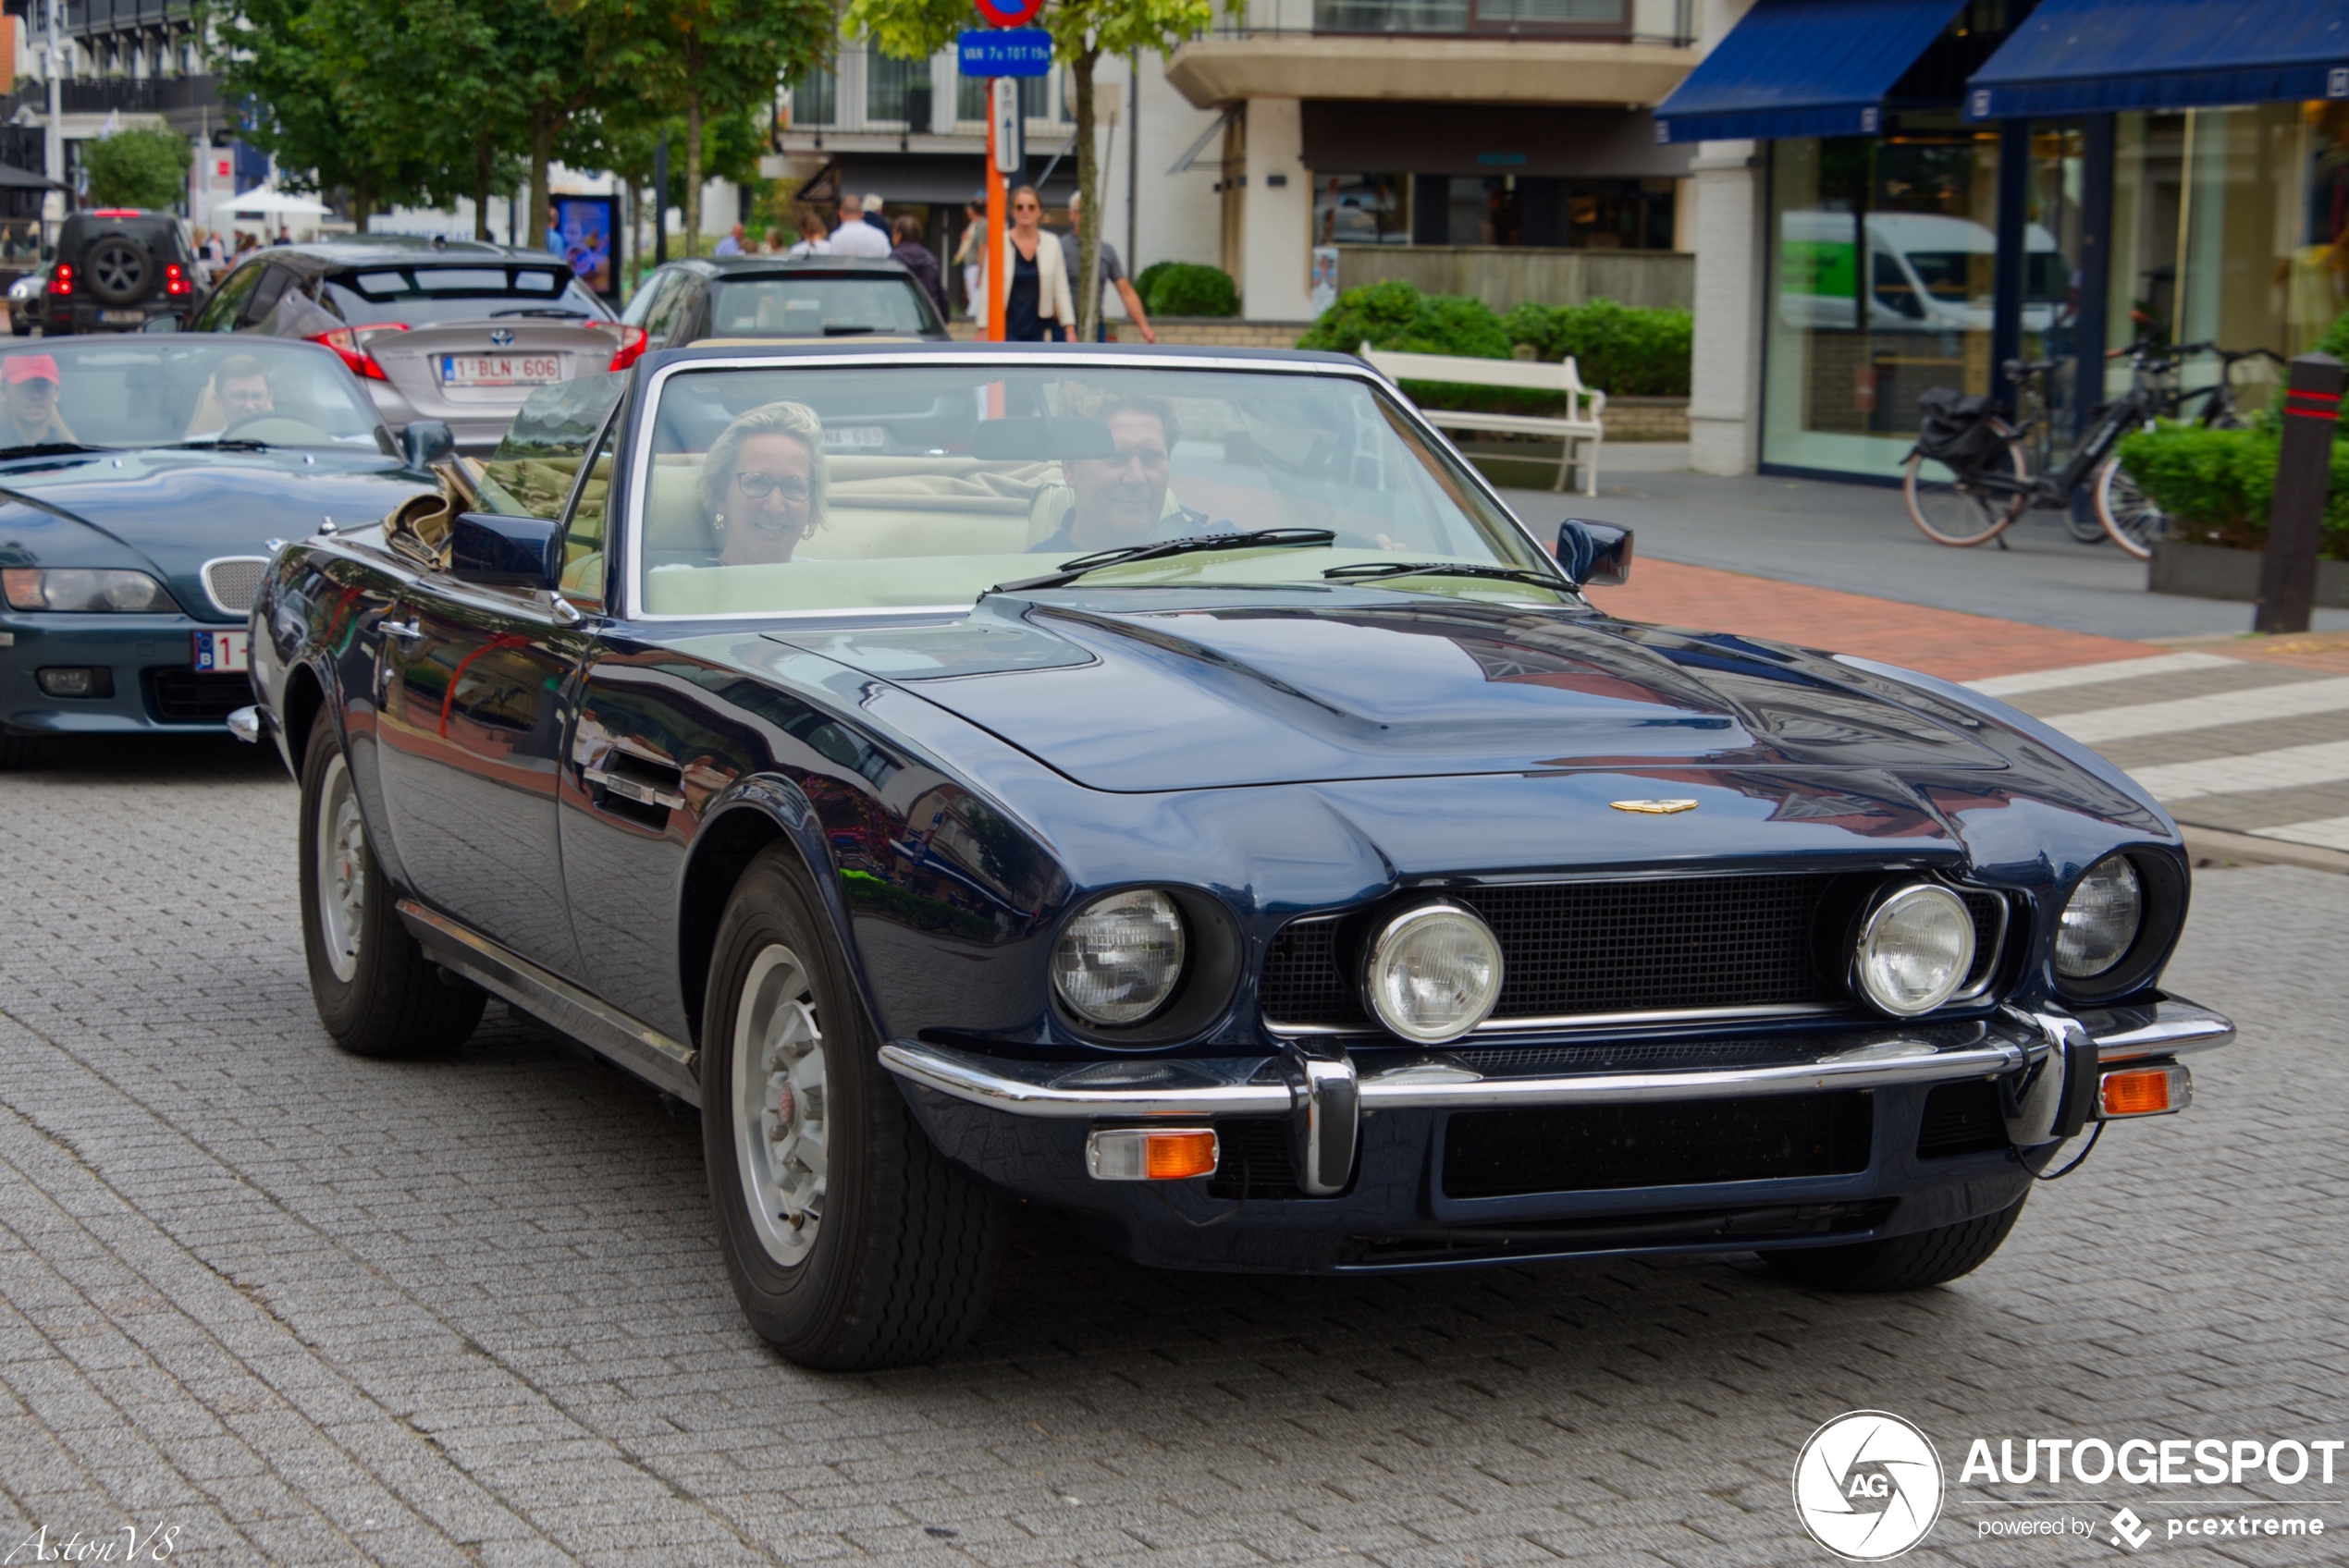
pixel 1176 790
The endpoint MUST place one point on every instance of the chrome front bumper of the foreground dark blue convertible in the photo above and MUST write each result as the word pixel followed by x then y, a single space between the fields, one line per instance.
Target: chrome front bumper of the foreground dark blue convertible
pixel 2052 1060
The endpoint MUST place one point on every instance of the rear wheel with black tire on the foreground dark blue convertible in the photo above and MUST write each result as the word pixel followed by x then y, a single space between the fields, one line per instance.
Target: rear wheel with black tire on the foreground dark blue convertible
pixel 375 989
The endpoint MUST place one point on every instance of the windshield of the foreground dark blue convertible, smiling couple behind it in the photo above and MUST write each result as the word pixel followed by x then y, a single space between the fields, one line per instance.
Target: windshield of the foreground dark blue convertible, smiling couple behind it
pixel 847 489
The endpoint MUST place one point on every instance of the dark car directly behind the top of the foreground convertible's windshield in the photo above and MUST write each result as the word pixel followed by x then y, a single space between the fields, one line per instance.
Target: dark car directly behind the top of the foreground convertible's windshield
pixel 781 297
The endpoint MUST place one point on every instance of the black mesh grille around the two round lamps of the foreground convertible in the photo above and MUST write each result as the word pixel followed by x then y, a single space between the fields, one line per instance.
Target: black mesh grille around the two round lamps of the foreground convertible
pixel 1596 949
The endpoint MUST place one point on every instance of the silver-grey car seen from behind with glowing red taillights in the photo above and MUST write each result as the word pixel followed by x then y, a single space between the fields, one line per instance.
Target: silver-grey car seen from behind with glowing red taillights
pixel 450 332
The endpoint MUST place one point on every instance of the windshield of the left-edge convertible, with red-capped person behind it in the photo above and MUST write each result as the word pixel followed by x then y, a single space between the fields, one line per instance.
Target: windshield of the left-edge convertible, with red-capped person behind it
pixel 175 391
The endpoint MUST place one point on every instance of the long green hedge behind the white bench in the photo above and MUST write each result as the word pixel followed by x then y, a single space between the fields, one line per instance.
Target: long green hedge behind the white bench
pixel 1617 349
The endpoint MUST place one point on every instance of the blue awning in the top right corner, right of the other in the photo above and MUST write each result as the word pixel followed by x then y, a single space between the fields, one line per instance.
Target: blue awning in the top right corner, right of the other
pixel 2082 58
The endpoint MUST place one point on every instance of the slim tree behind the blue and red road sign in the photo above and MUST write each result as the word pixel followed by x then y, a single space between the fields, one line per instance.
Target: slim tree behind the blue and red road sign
pixel 1082 34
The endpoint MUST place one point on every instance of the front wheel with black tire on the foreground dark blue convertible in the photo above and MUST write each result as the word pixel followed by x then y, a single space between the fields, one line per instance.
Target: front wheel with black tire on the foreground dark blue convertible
pixel 882 1259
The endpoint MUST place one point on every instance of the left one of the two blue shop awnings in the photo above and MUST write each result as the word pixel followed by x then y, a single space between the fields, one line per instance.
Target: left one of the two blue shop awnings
pixel 1803 69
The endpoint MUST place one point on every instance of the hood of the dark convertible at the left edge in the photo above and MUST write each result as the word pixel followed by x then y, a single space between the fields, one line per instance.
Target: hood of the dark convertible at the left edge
pixel 170 513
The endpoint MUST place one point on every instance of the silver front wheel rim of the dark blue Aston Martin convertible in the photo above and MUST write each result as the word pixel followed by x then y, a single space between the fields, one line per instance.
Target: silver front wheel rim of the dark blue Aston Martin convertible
pixel 779 1100
